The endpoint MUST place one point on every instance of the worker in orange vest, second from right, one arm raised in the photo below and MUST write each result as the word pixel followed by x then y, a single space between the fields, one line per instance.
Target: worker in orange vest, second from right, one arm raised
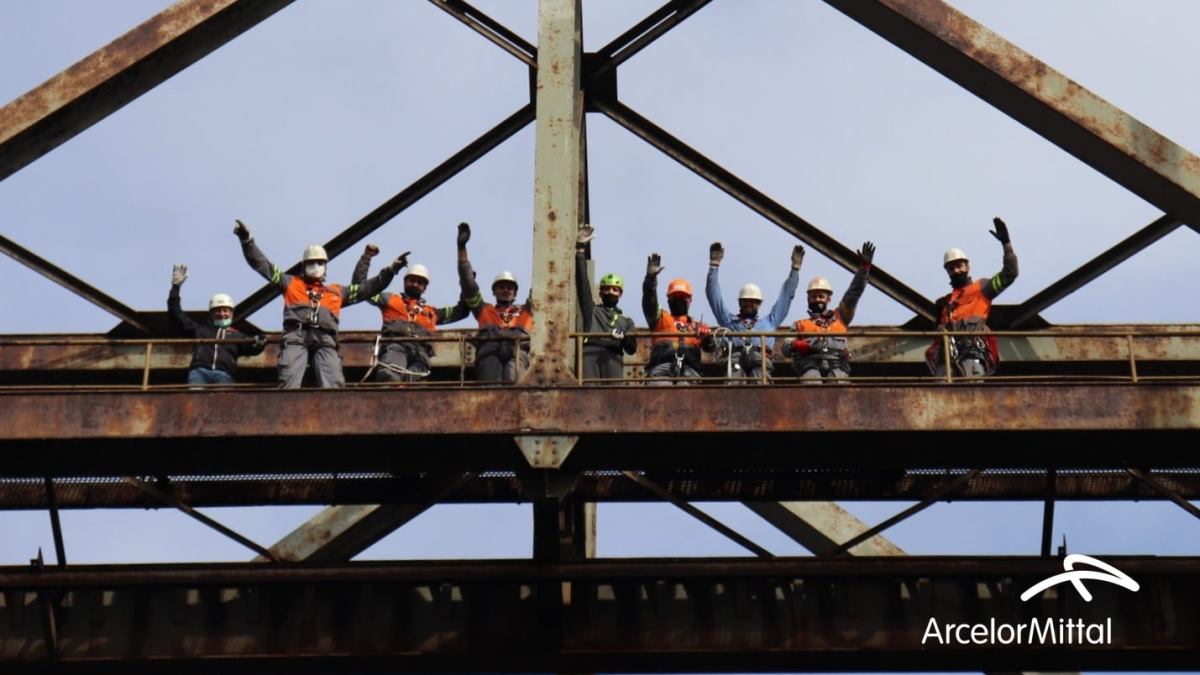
pixel 829 356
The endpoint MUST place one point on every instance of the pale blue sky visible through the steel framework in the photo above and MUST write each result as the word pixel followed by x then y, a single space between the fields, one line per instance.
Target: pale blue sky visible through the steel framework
pixel 327 110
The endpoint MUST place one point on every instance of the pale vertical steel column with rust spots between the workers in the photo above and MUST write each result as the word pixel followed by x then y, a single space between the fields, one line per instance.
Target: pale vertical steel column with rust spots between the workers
pixel 557 201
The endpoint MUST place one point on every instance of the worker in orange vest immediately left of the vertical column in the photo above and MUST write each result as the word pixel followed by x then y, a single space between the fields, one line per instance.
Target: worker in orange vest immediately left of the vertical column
pixel 502 324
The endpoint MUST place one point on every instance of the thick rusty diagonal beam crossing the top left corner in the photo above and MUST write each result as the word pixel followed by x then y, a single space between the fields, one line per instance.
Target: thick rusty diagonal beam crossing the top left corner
pixel 119 73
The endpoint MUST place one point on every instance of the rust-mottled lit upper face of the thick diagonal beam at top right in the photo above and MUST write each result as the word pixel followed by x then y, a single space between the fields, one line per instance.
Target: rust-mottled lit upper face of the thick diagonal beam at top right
pixel 1067 98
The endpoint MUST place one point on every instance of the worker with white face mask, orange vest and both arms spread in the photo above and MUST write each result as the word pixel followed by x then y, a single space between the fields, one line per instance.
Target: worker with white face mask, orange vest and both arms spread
pixel 311 310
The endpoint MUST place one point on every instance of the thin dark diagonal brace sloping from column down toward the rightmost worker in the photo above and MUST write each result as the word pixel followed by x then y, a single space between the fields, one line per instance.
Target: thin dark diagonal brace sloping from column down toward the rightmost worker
pixel 761 204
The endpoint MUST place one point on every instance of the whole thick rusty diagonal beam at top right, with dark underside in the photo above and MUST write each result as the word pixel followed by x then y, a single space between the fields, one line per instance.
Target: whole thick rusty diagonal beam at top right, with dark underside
pixel 1015 82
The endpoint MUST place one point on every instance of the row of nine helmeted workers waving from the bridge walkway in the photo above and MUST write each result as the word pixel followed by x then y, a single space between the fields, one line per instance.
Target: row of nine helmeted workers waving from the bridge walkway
pixel 313 309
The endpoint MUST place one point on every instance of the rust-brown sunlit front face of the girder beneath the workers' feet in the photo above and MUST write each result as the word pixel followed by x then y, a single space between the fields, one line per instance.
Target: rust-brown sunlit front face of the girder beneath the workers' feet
pixel 501 413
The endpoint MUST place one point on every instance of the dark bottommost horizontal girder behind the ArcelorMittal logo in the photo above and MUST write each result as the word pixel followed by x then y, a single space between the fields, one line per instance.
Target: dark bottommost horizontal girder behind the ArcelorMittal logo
pixel 638 616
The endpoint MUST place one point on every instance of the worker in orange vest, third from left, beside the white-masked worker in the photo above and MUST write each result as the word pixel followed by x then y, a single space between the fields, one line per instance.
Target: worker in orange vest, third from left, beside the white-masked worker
pixel 406 315
